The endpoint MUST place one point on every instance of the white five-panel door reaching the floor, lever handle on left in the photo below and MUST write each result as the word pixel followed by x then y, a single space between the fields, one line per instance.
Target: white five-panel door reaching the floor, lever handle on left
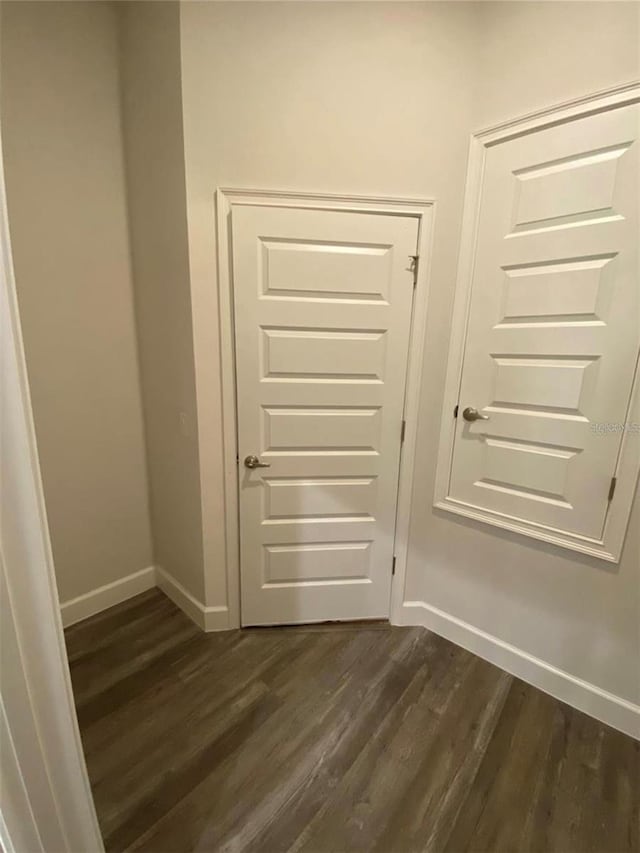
pixel 322 318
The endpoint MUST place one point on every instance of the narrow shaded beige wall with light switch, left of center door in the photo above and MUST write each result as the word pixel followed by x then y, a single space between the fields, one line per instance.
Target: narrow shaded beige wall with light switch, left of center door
pixel 152 113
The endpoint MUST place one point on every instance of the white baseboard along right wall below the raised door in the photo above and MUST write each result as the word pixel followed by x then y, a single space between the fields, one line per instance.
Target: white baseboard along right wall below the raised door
pixel 610 709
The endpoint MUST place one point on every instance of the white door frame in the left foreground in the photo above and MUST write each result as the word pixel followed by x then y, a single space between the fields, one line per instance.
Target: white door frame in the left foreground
pixel 47 803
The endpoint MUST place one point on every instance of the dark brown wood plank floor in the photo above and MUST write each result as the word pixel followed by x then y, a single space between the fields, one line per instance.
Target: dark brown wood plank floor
pixel 334 738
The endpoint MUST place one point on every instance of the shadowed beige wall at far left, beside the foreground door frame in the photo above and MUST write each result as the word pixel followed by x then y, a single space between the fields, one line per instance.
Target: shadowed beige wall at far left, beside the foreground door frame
pixel 67 211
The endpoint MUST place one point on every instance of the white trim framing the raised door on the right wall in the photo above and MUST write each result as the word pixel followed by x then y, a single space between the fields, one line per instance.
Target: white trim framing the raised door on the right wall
pixel 628 467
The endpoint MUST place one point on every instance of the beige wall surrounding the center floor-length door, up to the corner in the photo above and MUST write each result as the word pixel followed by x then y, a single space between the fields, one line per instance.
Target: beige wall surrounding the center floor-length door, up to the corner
pixel 368 98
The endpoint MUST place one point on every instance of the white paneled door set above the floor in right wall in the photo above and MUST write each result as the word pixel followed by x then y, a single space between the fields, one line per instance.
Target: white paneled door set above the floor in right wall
pixel 554 324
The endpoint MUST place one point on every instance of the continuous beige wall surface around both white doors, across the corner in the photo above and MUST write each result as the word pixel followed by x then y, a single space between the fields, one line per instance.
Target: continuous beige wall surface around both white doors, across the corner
pixel 380 99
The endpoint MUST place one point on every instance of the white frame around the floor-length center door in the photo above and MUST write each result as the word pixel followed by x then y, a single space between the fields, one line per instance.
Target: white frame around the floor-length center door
pixel 424 211
